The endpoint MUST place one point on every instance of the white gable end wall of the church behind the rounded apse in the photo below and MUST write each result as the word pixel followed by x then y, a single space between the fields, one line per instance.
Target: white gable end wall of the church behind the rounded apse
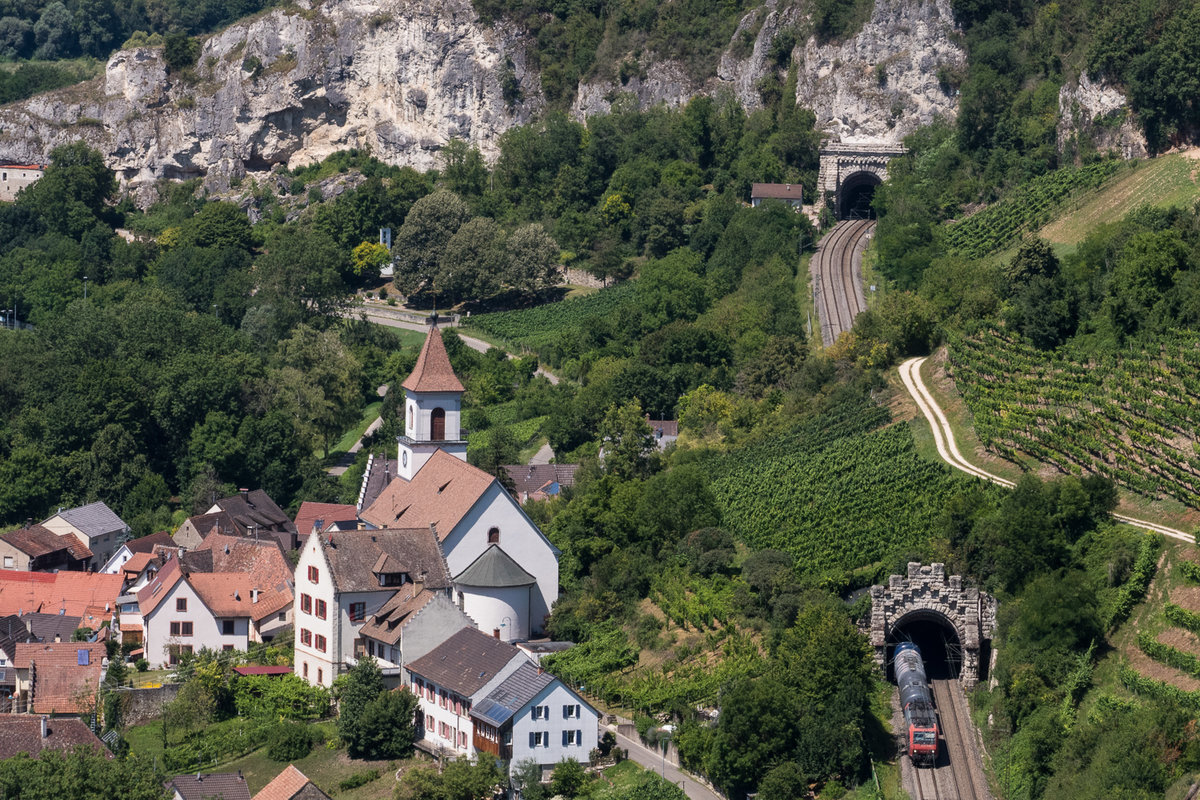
pixel 519 538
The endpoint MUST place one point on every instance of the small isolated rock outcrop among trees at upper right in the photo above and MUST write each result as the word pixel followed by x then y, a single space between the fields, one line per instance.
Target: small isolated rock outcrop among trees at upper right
pixel 1097 115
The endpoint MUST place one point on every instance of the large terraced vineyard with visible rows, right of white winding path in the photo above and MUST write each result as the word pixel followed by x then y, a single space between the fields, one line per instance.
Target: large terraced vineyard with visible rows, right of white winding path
pixel 1132 417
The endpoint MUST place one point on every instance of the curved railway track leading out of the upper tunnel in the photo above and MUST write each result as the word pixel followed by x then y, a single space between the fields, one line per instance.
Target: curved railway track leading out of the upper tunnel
pixel 838 278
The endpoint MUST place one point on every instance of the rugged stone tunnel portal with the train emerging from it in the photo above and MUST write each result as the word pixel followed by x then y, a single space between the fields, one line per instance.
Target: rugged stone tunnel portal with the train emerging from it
pixel 951 623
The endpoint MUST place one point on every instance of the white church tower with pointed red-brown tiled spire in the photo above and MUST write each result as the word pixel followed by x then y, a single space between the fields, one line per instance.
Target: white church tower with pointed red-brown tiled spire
pixel 433 410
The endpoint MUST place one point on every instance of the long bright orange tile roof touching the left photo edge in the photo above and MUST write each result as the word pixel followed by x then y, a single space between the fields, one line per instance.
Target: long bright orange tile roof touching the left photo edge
pixel 76 594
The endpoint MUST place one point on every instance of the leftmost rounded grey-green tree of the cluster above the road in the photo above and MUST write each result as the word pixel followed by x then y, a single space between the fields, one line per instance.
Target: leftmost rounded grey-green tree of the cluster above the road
pixel 423 239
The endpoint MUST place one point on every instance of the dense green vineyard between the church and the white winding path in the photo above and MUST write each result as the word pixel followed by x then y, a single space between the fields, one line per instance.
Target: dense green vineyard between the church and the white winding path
pixel 837 494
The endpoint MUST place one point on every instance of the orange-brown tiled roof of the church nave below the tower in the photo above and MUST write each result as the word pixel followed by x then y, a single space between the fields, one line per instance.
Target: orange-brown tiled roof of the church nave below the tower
pixel 441 494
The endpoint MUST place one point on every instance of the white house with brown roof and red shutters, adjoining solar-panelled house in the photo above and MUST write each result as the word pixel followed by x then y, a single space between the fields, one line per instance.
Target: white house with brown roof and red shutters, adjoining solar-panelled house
pixel 451 679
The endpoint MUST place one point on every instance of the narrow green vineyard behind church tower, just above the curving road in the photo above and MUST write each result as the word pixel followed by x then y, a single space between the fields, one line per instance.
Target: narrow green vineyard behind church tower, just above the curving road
pixel 537 329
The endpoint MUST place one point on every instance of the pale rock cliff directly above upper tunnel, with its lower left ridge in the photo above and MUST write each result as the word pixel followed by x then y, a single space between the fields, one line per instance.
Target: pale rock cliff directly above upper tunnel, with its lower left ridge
pixel 879 86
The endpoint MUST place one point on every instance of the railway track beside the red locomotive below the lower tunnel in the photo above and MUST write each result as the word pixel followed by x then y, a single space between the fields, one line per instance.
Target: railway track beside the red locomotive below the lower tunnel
pixel 958 774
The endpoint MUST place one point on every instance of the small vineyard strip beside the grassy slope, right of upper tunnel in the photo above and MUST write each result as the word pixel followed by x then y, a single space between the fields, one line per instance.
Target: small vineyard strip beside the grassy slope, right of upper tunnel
pixel 1028 209
